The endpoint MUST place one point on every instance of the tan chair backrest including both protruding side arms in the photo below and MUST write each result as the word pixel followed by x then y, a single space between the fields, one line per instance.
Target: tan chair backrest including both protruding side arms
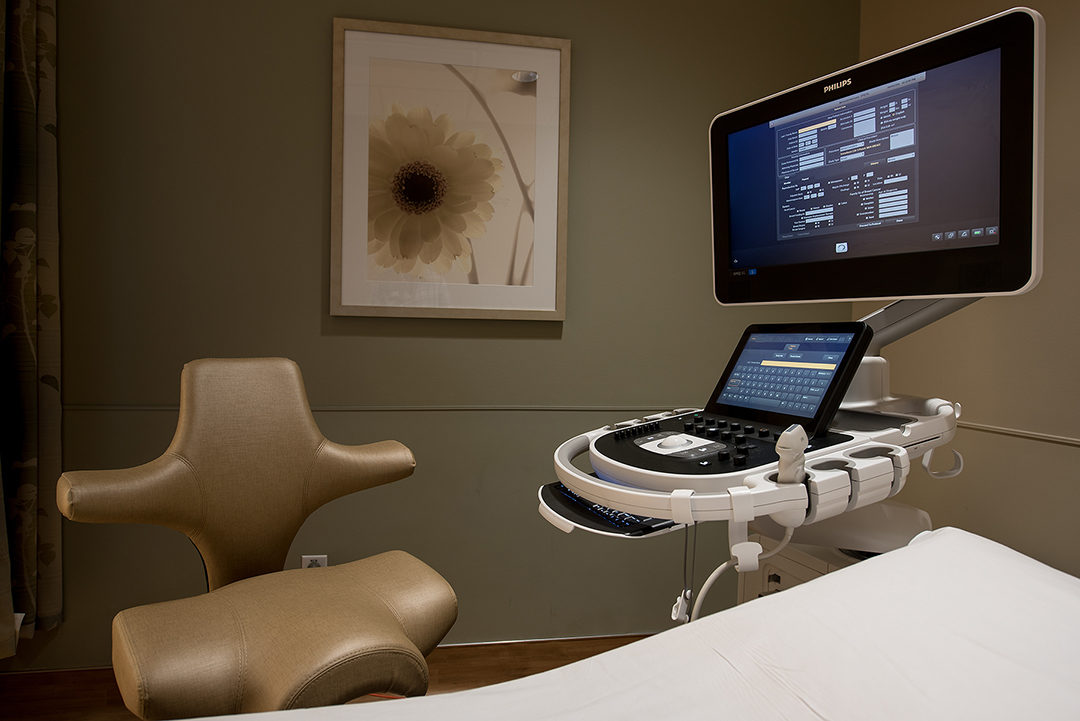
pixel 247 467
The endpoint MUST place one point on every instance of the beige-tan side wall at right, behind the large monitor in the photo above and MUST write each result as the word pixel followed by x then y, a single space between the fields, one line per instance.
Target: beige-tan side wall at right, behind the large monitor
pixel 1010 362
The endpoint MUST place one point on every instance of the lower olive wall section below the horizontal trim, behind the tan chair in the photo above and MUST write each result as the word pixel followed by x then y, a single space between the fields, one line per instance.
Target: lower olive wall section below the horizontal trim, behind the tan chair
pixel 469 511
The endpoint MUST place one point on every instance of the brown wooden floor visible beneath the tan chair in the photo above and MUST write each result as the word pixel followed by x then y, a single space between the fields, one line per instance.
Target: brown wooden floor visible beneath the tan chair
pixel 92 695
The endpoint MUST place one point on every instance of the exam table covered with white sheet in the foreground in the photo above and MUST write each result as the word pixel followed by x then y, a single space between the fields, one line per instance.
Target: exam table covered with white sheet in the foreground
pixel 952 627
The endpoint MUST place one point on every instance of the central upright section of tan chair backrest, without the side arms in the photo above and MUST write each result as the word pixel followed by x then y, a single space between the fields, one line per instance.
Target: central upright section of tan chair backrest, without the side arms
pixel 248 437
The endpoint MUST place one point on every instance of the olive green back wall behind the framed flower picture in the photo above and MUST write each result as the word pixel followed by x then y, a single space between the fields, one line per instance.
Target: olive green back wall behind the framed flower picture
pixel 196 194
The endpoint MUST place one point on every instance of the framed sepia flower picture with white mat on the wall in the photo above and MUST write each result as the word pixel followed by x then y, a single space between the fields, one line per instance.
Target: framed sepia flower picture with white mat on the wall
pixel 450 167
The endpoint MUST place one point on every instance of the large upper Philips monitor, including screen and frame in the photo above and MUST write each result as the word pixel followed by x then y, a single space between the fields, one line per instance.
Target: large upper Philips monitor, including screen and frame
pixel 913 175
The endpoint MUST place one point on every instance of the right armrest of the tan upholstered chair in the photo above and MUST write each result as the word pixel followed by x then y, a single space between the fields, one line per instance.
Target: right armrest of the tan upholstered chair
pixel 342 470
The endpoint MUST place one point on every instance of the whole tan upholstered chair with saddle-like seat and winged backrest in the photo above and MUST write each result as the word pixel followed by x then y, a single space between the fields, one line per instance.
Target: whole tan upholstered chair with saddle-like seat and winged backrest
pixel 246 469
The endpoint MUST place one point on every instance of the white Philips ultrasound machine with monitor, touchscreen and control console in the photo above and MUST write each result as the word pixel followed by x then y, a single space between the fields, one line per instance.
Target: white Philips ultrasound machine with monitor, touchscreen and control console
pixel 913 178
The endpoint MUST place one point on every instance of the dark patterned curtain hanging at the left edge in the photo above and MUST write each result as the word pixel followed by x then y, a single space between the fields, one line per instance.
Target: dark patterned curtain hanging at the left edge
pixel 30 325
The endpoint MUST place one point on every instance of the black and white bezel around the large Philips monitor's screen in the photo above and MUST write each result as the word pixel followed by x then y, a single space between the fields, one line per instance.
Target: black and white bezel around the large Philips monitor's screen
pixel 1011 267
